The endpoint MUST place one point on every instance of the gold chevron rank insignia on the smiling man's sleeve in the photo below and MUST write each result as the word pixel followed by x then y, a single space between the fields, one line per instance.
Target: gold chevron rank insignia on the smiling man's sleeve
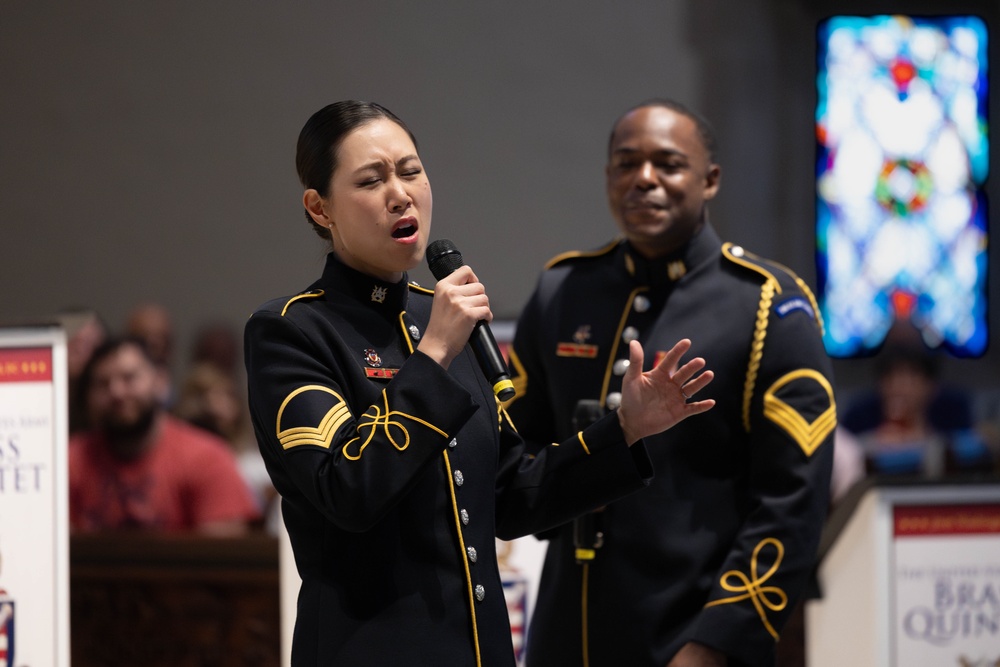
pixel 801 403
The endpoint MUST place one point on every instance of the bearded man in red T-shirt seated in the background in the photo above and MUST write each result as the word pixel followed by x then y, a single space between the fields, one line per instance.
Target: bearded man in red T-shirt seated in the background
pixel 141 468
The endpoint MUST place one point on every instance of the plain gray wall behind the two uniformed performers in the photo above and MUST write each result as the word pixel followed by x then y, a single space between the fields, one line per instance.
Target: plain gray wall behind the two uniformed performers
pixel 146 149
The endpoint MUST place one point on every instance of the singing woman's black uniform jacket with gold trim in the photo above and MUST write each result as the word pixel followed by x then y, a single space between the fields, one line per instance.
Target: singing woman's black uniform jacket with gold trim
pixel 396 475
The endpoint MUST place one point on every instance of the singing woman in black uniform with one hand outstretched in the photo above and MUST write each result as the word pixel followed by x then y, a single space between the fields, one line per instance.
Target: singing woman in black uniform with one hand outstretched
pixel 396 465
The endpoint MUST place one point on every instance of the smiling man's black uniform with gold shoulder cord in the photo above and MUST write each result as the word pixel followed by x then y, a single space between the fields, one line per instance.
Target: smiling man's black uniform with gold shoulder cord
pixel 719 547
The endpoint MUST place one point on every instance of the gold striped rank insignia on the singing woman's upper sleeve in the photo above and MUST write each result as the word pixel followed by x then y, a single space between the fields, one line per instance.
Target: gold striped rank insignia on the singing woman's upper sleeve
pixel 311 415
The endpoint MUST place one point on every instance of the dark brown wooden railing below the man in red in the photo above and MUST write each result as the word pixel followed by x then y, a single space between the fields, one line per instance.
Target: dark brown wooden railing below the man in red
pixel 182 601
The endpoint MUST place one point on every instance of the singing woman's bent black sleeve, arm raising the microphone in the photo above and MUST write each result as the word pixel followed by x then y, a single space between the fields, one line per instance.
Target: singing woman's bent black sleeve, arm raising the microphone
pixel 353 463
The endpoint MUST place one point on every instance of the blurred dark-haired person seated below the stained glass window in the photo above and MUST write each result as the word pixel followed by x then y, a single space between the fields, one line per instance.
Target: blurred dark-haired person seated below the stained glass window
pixel 912 425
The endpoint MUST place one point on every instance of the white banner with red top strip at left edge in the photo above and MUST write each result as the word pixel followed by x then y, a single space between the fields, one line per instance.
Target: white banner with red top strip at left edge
pixel 34 552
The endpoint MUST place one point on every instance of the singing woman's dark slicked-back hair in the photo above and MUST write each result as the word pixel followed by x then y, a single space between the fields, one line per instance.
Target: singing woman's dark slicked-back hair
pixel 320 138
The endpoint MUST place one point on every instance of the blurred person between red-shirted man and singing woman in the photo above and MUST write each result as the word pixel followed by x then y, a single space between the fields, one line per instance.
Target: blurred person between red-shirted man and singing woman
pixel 210 400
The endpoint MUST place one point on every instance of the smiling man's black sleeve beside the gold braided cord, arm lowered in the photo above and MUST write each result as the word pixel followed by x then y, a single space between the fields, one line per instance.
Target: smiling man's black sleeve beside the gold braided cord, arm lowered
pixel 791 416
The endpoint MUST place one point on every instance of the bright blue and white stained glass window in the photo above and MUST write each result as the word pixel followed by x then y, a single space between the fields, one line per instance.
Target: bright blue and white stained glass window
pixel 901 163
